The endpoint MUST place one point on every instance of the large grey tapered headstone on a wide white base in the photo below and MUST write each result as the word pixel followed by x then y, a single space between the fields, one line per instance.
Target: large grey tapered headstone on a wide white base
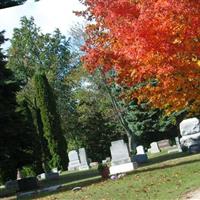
pixel 121 161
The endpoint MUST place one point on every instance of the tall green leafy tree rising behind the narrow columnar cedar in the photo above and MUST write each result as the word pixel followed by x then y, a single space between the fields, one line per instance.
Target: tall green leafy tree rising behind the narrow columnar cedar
pixel 31 52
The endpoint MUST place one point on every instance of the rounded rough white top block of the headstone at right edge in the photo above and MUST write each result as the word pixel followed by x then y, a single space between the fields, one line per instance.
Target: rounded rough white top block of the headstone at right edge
pixel 190 126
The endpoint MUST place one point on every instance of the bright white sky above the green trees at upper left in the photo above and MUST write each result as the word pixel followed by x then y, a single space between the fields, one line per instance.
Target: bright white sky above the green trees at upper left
pixel 48 15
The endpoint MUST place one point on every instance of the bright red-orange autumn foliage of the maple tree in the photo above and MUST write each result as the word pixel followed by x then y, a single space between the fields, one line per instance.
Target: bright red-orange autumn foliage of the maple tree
pixel 145 40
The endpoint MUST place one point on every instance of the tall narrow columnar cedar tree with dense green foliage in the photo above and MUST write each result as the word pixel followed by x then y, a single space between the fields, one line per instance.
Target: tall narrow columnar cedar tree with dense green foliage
pixel 51 122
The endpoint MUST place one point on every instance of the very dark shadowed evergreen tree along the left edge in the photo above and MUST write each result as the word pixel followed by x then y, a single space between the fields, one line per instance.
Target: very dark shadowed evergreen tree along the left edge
pixel 17 143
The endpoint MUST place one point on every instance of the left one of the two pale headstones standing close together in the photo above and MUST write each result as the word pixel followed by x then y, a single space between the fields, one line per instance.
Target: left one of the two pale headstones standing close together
pixel 74 162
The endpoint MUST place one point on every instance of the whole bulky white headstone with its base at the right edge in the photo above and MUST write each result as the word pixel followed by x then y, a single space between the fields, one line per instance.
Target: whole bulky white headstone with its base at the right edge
pixel 190 132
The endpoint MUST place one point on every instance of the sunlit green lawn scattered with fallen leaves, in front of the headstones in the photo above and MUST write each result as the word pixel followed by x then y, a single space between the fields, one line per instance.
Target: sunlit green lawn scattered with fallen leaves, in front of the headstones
pixel 166 176
